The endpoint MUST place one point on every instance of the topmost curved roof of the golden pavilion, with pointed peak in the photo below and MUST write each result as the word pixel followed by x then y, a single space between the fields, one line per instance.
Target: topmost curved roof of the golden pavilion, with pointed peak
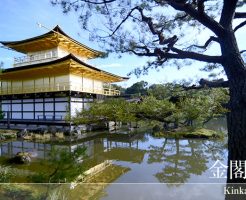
pixel 55 37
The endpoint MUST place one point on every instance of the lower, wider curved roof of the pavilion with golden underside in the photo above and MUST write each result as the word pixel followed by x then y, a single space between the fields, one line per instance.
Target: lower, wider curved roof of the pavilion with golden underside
pixel 67 64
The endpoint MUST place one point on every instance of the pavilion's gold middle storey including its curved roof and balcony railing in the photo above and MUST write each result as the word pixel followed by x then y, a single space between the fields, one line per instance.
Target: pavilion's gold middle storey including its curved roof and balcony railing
pixel 65 74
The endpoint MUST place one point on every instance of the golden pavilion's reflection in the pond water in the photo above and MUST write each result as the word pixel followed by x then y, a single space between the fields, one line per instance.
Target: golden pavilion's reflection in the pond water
pixel 101 152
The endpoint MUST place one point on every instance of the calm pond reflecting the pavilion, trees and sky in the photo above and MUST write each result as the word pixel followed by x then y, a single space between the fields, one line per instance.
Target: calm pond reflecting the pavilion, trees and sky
pixel 133 166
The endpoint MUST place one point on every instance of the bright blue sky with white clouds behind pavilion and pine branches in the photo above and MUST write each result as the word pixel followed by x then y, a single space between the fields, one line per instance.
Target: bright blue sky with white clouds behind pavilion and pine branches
pixel 19 21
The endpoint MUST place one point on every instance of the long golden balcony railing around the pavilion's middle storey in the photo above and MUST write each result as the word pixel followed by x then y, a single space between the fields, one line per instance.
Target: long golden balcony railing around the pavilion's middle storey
pixel 58 87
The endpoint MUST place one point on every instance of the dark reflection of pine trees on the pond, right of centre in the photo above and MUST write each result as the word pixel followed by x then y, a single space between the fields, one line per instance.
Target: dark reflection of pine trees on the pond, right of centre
pixel 188 157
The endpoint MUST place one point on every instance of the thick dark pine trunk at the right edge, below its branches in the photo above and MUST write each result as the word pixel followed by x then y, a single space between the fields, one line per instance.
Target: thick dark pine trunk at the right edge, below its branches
pixel 236 118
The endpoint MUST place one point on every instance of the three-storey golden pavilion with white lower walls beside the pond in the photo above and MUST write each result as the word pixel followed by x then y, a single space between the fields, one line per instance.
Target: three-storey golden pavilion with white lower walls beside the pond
pixel 51 80
